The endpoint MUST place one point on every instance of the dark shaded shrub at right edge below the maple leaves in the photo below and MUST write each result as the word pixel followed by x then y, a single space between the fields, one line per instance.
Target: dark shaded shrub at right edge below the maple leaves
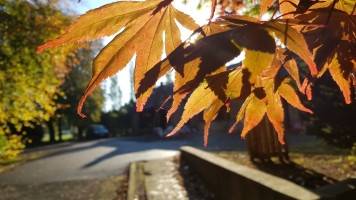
pixel 333 119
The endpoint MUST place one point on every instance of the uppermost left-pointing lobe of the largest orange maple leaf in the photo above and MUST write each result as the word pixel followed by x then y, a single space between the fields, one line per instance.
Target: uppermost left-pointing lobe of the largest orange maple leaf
pixel 103 21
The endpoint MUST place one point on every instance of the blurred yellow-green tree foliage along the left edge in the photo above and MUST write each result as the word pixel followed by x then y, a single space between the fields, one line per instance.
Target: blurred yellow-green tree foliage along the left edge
pixel 29 83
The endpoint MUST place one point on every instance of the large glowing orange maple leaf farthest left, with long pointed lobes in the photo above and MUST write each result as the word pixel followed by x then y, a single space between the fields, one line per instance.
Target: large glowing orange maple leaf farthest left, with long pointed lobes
pixel 144 24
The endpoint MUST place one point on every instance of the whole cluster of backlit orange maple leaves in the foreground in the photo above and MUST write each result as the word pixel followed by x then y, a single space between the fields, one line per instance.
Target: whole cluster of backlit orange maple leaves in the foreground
pixel 321 33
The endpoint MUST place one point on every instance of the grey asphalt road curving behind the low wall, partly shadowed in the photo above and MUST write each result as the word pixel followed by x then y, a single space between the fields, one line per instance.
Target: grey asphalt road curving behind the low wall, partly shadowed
pixel 107 157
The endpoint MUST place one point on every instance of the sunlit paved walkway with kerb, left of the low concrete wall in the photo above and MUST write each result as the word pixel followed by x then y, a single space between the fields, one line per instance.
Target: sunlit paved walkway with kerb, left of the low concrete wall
pixel 166 179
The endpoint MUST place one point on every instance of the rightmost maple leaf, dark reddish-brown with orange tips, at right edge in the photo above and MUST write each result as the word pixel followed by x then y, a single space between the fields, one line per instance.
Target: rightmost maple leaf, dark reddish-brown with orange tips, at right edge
pixel 333 45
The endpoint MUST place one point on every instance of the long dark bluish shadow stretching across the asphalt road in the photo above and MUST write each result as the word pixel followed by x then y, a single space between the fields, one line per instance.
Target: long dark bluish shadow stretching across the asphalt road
pixel 127 145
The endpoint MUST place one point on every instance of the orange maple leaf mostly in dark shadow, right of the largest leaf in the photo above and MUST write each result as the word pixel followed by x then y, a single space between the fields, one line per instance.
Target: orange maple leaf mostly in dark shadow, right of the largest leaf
pixel 193 61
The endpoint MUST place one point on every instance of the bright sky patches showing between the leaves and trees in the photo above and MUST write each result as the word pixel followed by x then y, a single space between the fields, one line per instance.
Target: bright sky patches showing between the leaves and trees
pixel 200 16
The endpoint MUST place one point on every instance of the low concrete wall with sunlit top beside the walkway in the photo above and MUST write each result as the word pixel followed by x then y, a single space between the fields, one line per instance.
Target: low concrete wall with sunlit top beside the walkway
pixel 232 181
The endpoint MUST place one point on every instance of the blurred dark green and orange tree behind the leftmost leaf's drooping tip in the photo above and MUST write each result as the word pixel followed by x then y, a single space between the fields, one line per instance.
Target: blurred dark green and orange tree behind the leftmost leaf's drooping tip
pixel 75 83
